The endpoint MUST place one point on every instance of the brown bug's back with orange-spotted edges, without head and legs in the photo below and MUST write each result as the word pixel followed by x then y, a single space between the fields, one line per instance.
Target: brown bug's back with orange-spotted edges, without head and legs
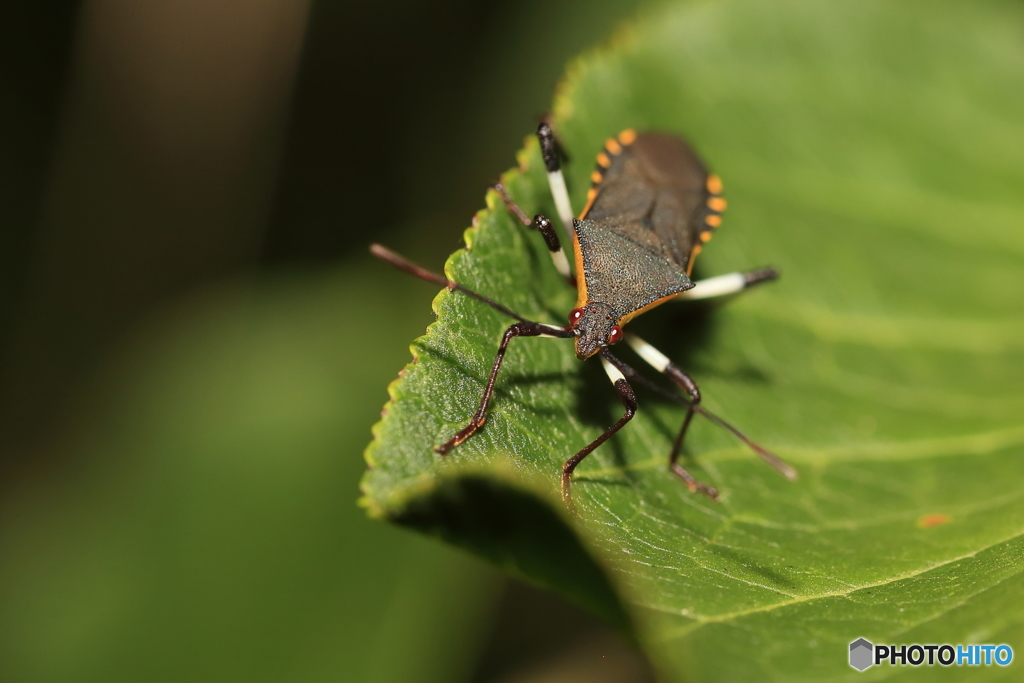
pixel 651 202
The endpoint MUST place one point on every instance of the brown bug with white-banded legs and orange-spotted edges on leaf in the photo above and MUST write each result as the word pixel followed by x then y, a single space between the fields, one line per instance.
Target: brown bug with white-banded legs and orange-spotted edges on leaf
pixel 651 209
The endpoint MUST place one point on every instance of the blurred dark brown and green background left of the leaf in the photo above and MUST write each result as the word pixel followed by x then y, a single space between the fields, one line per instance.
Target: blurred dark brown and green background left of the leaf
pixel 194 343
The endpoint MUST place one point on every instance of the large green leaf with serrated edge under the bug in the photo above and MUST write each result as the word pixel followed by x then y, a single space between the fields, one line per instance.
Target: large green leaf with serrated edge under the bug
pixel 872 152
